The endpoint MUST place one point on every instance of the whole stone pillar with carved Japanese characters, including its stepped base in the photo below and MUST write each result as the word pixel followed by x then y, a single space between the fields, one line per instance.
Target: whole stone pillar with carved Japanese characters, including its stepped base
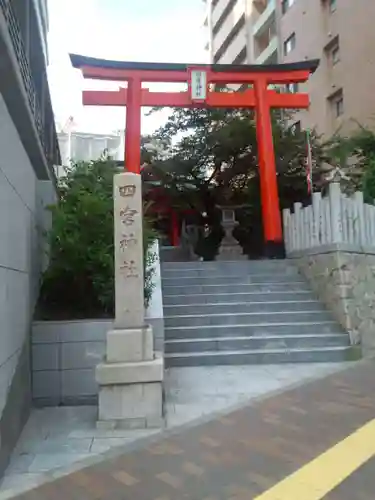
pixel 130 378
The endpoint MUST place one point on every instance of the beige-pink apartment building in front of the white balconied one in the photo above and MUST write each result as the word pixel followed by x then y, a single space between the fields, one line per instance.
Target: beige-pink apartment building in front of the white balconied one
pixel 341 34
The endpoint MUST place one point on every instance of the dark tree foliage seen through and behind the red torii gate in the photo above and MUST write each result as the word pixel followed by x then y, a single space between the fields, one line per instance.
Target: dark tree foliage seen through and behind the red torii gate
pixel 210 158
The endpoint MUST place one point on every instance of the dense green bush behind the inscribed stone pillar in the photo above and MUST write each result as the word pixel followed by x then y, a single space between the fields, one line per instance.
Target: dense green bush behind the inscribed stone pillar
pixel 79 281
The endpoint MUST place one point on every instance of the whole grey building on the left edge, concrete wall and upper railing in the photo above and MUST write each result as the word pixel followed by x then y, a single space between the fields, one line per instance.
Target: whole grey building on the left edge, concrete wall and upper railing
pixel 29 151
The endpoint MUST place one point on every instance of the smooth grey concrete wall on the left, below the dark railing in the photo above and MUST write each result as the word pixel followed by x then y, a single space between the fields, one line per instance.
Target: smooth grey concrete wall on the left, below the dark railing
pixel 22 220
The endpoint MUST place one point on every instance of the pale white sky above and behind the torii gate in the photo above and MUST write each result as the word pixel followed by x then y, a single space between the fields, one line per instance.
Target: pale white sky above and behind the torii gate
pixel 130 30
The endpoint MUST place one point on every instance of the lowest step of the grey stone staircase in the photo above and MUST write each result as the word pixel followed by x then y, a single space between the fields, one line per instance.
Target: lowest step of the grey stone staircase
pixel 269 356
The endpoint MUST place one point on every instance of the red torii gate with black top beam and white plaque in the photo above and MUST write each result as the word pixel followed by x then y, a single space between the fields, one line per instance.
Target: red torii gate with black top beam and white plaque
pixel 199 94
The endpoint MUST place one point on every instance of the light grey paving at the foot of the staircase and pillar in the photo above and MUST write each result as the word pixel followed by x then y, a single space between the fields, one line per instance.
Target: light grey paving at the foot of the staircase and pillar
pixel 191 394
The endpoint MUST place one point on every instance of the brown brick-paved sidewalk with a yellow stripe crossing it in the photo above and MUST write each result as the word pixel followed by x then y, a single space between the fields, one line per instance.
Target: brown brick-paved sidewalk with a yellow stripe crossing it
pixel 241 455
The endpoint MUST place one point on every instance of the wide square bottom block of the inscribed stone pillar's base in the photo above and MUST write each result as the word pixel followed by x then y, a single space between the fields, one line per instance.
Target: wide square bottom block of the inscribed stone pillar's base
pixel 131 394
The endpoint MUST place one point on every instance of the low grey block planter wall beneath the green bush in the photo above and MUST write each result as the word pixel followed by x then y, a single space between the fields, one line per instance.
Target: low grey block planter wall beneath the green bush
pixel 65 353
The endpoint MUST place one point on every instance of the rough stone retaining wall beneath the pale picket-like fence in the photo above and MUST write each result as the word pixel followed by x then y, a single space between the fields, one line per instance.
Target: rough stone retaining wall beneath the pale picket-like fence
pixel 343 276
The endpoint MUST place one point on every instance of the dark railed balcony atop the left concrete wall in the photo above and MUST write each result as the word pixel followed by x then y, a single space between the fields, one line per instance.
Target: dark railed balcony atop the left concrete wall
pixel 25 89
